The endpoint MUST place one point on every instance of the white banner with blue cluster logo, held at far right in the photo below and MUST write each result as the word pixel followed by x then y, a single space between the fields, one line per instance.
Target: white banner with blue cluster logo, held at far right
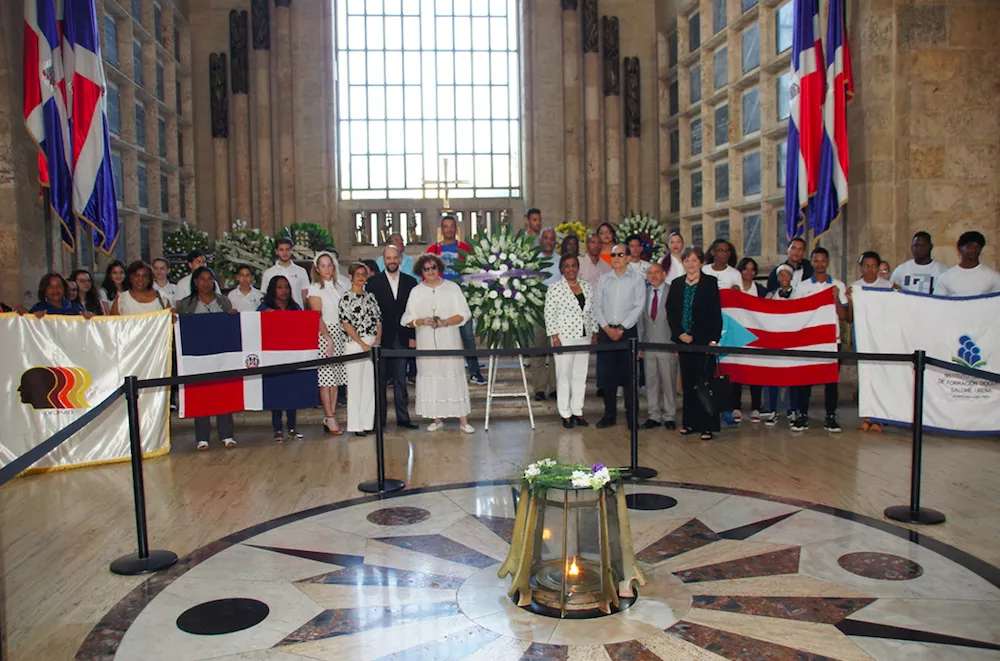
pixel 960 330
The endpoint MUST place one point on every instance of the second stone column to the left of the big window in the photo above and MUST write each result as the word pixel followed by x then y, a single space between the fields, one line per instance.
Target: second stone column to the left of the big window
pixel 261 14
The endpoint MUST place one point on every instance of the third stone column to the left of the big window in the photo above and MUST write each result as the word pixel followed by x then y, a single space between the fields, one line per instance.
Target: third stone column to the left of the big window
pixel 241 108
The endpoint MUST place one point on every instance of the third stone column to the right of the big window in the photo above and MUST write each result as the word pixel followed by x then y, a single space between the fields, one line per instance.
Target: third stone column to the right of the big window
pixel 612 118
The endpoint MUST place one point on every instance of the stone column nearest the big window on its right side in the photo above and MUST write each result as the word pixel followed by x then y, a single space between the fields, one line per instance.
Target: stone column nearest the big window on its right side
pixel 571 108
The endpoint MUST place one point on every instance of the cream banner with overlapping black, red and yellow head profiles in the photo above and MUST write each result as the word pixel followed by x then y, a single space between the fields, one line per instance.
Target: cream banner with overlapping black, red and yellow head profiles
pixel 56 368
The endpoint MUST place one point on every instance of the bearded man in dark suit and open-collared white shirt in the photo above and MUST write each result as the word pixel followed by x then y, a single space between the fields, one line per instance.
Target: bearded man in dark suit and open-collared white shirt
pixel 392 290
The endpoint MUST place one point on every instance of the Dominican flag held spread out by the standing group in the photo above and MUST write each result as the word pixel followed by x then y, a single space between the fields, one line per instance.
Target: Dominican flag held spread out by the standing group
pixel 220 342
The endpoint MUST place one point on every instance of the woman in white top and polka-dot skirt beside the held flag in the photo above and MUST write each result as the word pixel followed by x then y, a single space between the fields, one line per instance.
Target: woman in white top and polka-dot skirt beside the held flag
pixel 325 293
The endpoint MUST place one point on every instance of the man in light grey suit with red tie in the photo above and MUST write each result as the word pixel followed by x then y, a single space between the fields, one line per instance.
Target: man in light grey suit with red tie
pixel 661 366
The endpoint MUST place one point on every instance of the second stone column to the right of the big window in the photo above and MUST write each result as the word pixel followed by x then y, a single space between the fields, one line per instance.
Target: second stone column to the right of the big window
pixel 592 115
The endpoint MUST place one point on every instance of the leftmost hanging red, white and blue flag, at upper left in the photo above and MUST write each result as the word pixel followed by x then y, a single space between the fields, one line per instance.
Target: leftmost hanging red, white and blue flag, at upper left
pixel 46 112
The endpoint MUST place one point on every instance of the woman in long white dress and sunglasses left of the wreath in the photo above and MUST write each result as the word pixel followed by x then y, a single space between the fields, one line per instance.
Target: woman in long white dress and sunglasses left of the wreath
pixel 436 309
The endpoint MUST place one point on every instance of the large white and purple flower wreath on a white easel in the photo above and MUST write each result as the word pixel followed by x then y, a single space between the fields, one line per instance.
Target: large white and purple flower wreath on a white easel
pixel 502 279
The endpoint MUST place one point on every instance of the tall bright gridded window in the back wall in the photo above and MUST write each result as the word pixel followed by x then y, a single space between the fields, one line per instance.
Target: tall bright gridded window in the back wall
pixel 429 82
